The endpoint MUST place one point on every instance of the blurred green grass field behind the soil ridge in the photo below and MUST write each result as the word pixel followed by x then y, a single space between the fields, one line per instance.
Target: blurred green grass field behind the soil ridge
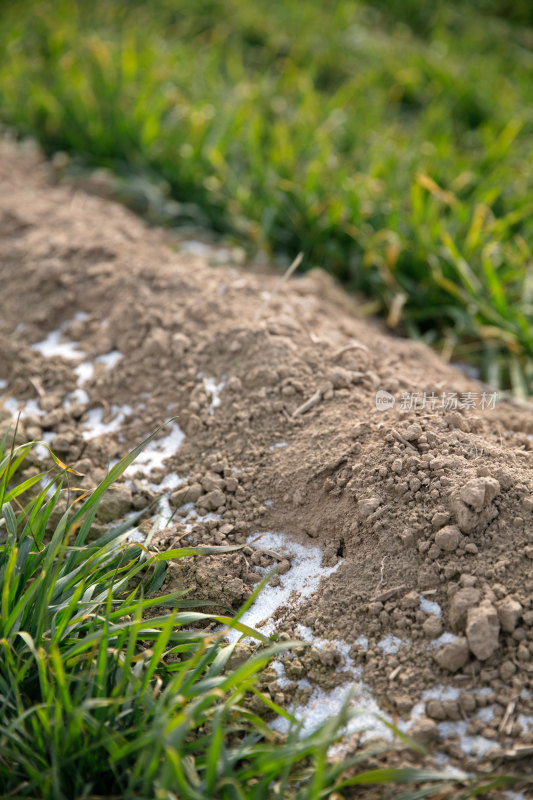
pixel 391 142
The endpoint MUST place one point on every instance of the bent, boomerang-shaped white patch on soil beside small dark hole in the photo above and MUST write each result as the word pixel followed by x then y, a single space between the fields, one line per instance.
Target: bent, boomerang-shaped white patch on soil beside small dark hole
pixel 302 579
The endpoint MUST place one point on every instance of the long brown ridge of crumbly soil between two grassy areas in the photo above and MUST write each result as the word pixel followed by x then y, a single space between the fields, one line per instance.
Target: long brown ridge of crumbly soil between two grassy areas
pixel 293 416
